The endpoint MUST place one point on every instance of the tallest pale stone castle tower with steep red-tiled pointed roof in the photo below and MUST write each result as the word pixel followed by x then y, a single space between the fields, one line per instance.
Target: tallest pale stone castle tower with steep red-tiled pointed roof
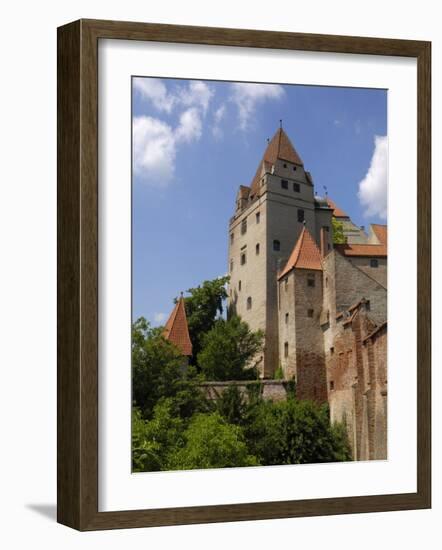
pixel 269 217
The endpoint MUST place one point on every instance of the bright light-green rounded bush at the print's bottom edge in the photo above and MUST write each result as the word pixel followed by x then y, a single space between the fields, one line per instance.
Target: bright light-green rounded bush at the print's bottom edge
pixel 211 442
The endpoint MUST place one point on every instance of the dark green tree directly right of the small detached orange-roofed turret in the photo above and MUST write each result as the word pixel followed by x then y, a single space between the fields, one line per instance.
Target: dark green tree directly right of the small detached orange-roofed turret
pixel 203 306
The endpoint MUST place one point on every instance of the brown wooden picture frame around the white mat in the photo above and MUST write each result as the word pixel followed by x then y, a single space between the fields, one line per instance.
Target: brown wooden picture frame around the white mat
pixel 78 274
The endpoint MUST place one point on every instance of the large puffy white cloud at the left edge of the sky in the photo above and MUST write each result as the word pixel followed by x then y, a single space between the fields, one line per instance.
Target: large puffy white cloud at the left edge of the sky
pixel 155 145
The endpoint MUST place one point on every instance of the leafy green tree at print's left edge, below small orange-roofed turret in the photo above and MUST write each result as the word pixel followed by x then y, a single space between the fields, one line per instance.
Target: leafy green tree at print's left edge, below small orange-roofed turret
pixel 158 371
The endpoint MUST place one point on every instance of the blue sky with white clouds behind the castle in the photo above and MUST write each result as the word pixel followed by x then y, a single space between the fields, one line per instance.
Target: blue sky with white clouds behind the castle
pixel 195 142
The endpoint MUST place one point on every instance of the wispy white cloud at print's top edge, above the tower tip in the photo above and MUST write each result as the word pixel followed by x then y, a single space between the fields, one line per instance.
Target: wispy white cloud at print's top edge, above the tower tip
pixel 247 96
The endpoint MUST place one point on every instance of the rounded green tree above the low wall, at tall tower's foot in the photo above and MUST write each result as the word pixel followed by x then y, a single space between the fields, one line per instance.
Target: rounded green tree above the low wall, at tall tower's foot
pixel 227 349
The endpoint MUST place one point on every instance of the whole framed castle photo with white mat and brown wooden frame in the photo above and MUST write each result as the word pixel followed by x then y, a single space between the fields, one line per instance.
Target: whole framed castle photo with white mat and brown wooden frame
pixel 243 275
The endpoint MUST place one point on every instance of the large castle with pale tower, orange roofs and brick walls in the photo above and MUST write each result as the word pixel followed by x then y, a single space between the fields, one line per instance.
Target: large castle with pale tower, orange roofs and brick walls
pixel 322 306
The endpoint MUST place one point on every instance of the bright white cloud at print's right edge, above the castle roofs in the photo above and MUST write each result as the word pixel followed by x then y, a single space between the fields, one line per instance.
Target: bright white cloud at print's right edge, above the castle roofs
pixel 373 188
